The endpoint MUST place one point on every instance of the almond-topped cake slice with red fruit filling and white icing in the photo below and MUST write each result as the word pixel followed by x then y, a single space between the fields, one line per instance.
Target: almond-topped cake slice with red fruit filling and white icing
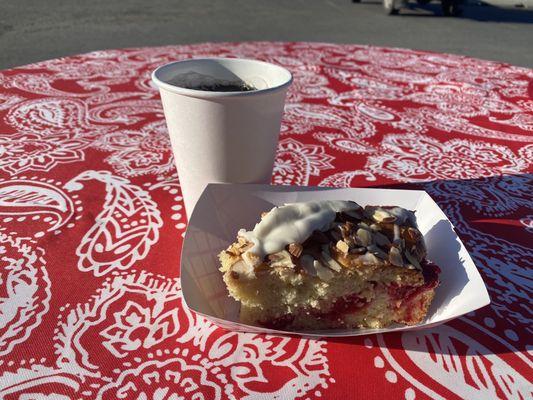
pixel 331 264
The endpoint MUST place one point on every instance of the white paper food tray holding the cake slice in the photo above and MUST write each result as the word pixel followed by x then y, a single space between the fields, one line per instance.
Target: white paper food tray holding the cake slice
pixel 223 209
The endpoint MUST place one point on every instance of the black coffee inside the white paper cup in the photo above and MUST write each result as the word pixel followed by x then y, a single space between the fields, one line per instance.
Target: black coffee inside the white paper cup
pixel 196 81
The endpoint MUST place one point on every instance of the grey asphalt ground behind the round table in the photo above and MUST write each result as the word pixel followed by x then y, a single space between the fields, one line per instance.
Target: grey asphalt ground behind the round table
pixel 33 30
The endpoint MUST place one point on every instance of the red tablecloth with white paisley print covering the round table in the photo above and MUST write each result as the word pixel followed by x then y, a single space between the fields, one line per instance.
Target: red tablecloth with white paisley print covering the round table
pixel 91 223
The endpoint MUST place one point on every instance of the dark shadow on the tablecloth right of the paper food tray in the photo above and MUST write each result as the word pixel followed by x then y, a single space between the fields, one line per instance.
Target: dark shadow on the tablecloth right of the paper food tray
pixel 494 218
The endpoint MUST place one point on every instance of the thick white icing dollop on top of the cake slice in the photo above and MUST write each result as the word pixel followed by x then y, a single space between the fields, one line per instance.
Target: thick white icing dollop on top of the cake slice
pixel 293 223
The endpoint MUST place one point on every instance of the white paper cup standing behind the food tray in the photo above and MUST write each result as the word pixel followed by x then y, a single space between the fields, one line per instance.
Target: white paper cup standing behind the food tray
pixel 220 137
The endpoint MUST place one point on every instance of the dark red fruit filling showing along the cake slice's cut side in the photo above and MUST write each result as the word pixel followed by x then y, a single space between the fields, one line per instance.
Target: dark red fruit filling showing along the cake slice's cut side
pixel 354 303
